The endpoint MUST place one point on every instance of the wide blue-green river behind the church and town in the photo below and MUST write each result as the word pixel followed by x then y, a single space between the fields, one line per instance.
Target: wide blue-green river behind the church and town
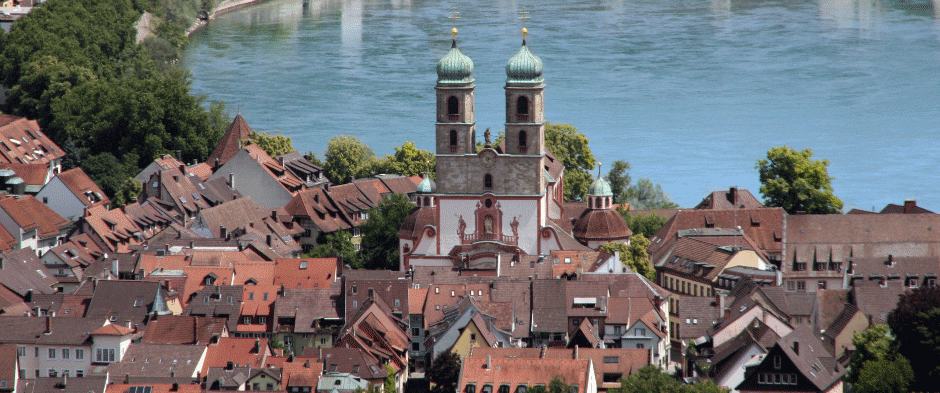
pixel 690 92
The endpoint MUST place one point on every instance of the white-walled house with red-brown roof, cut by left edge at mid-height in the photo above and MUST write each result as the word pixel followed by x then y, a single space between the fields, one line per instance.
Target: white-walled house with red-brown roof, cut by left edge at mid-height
pixel 32 224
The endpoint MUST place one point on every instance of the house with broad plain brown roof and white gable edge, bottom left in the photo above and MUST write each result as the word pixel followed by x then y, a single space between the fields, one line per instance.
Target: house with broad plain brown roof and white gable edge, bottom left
pixel 160 362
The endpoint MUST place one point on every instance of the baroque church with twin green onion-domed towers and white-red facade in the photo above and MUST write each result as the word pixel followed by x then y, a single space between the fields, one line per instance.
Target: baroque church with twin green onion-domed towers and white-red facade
pixel 501 202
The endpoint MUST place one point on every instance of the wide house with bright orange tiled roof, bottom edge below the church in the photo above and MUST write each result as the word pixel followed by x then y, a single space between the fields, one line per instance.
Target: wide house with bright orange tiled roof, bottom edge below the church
pixel 487 375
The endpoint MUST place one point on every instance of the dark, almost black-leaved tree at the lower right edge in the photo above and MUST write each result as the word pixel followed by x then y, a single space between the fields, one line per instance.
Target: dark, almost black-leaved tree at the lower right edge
pixel 914 324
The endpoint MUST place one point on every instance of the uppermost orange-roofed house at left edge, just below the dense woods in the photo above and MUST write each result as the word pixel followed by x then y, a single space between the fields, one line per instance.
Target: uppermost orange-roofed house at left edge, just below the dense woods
pixel 24 143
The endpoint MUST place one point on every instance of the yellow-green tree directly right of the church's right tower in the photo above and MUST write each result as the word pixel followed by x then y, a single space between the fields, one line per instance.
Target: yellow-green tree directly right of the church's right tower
pixel 571 148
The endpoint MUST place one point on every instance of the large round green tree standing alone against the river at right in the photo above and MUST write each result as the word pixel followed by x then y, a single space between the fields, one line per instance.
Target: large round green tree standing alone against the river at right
pixel 791 180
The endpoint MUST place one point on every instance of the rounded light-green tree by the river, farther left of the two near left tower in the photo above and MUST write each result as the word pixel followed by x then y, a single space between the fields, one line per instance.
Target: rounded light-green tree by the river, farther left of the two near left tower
pixel 347 157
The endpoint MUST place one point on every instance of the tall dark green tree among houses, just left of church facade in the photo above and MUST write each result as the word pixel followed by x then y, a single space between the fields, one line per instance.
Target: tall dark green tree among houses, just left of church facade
pixel 380 232
